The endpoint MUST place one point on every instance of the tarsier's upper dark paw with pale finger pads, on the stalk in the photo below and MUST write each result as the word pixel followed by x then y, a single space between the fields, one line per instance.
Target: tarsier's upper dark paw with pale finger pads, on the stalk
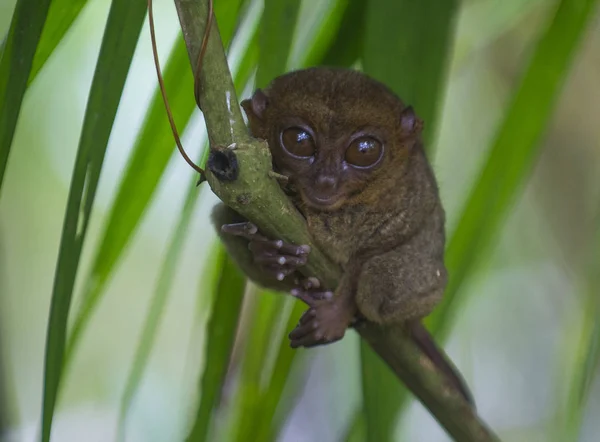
pixel 277 258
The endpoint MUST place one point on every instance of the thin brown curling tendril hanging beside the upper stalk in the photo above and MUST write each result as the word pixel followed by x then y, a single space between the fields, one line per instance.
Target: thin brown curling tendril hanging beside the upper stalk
pixel 196 80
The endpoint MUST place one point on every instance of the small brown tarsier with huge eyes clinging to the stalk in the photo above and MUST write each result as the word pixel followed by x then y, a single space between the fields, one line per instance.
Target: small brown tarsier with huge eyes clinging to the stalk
pixel 356 170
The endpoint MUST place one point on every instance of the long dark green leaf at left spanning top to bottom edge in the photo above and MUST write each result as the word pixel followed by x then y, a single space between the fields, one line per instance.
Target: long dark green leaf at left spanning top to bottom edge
pixel 118 45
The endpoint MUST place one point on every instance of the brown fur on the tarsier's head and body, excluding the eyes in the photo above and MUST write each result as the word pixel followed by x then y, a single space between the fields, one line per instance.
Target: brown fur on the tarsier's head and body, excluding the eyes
pixel 384 225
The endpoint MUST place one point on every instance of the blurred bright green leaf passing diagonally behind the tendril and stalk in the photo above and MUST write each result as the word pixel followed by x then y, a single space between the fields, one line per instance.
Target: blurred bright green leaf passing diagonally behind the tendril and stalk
pixel 147 163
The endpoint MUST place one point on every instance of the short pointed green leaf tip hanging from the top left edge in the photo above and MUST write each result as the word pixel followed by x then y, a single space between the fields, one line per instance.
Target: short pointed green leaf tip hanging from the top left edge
pixel 61 16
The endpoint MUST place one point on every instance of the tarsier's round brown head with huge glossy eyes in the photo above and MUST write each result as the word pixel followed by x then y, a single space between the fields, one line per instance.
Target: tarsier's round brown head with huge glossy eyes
pixel 334 132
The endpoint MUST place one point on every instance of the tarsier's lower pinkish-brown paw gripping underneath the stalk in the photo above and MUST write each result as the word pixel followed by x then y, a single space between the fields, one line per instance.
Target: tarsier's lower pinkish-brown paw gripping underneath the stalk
pixel 325 322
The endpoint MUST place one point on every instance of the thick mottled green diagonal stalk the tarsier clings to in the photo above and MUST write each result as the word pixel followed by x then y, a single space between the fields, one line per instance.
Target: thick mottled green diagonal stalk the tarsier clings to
pixel 256 195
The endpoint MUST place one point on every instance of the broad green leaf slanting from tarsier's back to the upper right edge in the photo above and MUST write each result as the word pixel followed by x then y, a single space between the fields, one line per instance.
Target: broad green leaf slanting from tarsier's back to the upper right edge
pixel 514 151
